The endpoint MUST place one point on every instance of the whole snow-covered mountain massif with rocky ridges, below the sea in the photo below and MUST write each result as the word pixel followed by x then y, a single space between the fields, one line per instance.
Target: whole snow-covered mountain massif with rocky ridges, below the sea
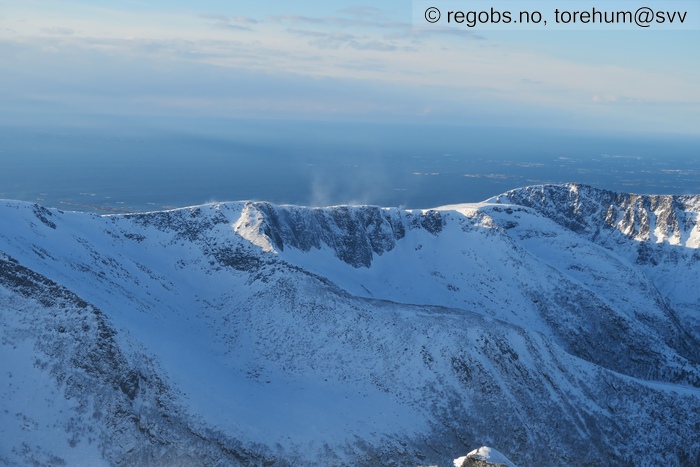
pixel 559 324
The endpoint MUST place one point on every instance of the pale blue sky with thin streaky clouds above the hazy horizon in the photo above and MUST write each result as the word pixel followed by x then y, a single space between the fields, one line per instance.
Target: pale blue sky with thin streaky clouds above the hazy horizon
pixel 73 61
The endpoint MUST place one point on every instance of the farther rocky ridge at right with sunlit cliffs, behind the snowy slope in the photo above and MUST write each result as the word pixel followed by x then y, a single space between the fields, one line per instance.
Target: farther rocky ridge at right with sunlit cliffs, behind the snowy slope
pixel 660 234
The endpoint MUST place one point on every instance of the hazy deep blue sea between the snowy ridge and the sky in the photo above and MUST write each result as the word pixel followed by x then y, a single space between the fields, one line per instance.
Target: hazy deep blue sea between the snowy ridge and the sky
pixel 128 169
